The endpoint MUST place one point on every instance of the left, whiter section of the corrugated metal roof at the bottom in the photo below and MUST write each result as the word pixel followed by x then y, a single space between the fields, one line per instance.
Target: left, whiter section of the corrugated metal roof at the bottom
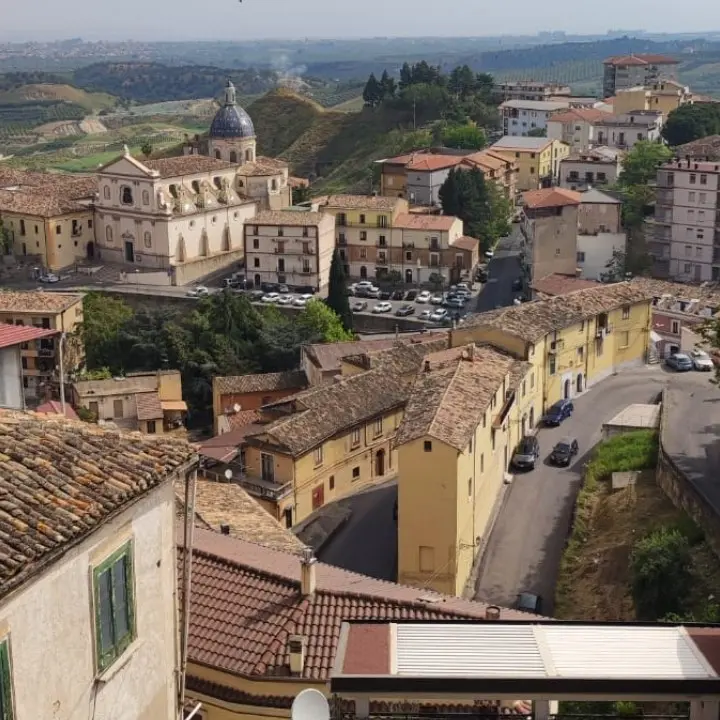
pixel 482 650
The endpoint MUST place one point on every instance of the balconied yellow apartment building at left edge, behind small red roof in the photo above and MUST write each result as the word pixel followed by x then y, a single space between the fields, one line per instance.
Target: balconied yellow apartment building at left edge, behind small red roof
pixel 62 312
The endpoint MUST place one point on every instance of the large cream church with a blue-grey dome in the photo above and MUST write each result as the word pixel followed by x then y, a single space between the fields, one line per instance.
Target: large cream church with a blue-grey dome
pixel 183 217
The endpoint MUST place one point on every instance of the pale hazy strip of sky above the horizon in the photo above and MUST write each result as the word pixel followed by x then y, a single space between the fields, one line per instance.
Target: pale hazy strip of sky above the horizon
pixel 256 19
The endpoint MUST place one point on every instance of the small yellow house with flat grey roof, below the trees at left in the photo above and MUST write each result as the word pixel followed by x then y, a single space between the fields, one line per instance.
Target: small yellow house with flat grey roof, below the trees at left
pixel 149 402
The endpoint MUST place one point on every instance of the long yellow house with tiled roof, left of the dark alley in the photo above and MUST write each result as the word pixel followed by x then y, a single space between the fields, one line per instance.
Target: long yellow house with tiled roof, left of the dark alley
pixel 332 440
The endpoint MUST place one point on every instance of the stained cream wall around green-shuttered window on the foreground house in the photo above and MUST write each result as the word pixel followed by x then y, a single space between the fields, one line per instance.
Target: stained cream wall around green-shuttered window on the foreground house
pixel 50 623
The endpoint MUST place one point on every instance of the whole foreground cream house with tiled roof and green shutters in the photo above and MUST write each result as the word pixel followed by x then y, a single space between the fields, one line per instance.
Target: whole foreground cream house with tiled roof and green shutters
pixel 93 574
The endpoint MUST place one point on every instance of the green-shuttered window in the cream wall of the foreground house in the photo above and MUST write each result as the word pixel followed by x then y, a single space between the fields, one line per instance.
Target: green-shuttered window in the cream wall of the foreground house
pixel 114 606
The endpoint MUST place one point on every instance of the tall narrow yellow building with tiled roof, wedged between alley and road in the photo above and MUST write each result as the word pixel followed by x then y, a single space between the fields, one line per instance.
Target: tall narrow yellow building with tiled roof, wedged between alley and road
pixel 455 442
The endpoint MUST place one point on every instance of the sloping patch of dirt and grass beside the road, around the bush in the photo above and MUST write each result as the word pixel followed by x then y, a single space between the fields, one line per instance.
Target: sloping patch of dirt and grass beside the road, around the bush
pixel 595 580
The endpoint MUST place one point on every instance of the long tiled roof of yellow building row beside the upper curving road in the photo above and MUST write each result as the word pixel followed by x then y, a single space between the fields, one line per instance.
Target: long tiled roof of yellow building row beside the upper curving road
pixel 532 321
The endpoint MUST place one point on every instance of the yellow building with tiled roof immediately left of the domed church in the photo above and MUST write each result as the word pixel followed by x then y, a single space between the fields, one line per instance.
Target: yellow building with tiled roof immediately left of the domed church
pixel 48 216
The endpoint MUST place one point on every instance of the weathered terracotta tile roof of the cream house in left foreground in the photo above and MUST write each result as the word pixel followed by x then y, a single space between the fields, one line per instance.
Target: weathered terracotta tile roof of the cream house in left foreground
pixel 60 480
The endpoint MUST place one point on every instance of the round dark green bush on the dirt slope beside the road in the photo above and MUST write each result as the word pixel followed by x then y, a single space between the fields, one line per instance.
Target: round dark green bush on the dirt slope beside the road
pixel 660 569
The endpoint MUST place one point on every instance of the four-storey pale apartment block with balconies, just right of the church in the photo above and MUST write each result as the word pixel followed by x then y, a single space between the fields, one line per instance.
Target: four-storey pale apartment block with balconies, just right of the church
pixel 292 248
